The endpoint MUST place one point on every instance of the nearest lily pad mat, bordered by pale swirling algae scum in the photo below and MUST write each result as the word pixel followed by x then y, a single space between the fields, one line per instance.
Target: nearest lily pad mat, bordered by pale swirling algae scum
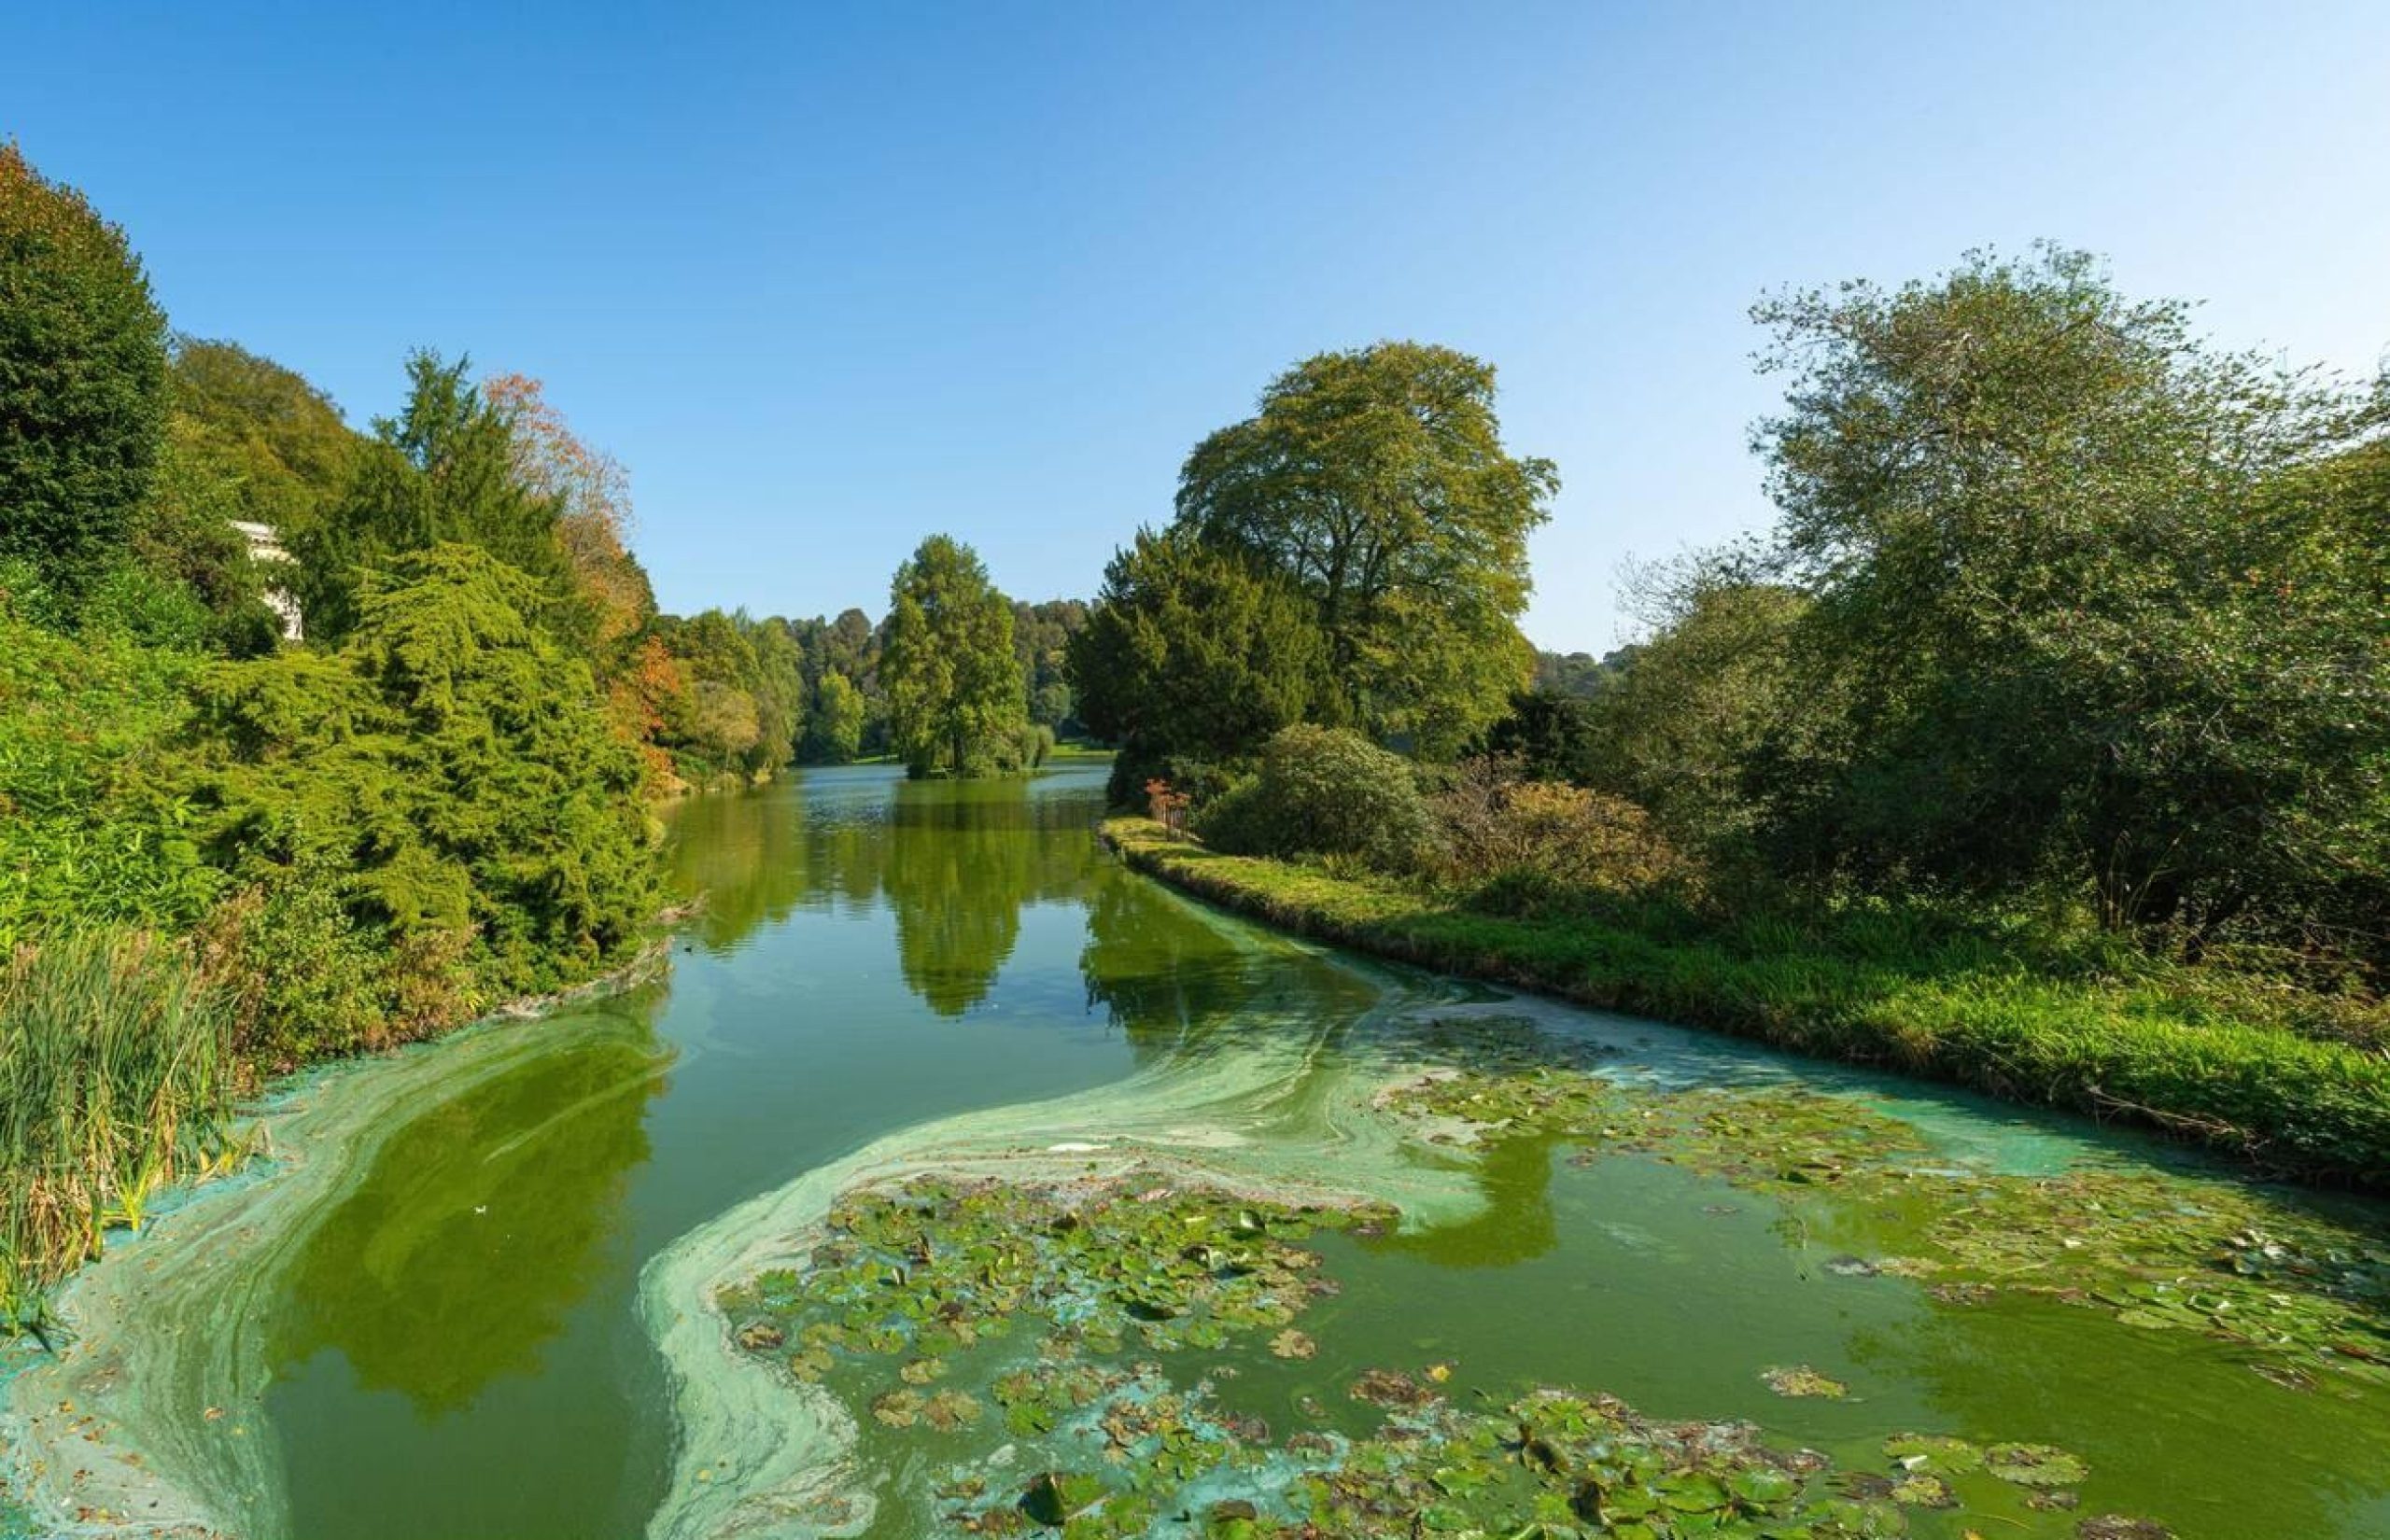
pixel 1070 1302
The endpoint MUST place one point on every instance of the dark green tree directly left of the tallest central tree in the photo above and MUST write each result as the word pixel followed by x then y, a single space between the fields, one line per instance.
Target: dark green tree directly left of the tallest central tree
pixel 1194 653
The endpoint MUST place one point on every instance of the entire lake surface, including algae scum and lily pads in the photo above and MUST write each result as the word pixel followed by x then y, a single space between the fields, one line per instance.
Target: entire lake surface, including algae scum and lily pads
pixel 960 1183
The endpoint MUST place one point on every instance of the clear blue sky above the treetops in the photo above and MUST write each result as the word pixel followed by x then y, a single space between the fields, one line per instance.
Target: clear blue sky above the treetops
pixel 835 278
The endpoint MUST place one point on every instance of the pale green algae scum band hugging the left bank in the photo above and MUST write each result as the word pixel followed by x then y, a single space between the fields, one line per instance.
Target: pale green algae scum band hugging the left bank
pixel 180 1455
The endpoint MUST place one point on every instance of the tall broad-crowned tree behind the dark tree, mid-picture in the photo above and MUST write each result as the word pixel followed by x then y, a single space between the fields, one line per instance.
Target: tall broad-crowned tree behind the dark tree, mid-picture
pixel 1378 481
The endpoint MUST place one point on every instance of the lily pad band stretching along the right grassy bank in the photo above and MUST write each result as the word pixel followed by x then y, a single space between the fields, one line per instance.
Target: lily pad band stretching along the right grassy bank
pixel 2157 1250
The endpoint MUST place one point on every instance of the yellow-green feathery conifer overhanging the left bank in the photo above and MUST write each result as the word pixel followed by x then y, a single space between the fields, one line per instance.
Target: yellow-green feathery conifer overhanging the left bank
pixel 453 763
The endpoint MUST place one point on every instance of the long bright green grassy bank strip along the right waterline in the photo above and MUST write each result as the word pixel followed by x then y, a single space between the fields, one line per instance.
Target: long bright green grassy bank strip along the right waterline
pixel 1956 1011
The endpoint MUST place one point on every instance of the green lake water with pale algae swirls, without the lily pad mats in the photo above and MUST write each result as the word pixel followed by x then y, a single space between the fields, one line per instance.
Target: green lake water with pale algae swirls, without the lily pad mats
pixel 486 1314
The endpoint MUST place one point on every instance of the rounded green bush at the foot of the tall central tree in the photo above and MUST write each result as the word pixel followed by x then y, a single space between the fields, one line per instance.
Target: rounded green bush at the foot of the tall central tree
pixel 1325 791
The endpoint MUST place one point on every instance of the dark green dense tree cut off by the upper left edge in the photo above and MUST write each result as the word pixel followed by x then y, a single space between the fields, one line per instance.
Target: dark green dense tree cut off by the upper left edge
pixel 82 378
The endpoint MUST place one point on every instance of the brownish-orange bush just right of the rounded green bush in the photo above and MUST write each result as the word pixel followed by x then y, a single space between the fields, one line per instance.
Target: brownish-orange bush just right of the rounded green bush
pixel 1567 839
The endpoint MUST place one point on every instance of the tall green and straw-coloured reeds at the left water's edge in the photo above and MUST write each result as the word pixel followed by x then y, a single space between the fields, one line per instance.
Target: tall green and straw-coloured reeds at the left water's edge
pixel 116 1078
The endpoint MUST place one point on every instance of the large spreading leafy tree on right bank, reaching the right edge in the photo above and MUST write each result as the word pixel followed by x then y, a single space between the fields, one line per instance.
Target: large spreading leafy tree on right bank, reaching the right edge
pixel 2092 598
